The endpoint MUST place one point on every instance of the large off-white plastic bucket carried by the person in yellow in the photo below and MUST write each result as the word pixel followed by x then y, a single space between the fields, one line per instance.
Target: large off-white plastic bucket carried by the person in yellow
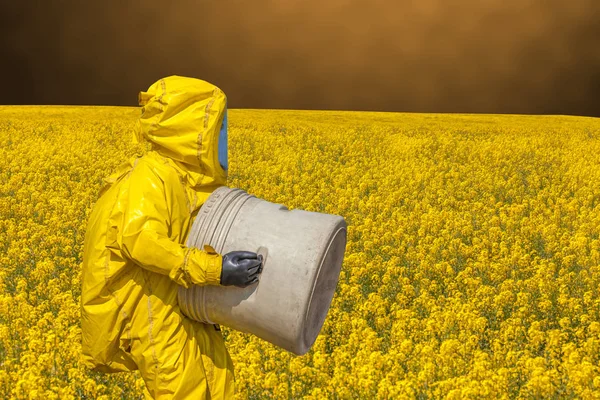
pixel 303 254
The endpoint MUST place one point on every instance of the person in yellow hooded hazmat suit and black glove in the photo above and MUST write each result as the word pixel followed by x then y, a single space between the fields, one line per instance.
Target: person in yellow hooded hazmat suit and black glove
pixel 134 254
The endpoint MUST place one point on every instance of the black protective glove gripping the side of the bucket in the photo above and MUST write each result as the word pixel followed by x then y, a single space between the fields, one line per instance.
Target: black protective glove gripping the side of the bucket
pixel 241 268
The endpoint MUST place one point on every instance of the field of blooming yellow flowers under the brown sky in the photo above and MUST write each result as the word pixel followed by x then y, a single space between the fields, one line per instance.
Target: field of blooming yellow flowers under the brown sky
pixel 472 268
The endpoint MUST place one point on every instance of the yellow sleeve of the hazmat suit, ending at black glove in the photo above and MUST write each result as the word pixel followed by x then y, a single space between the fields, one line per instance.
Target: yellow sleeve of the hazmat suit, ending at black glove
pixel 141 233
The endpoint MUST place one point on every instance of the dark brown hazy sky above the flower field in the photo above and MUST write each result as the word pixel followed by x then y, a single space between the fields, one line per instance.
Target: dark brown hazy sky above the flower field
pixel 416 56
